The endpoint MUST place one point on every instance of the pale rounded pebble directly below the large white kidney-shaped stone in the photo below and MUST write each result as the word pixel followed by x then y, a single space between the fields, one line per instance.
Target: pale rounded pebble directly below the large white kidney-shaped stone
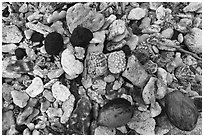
pixel 60 92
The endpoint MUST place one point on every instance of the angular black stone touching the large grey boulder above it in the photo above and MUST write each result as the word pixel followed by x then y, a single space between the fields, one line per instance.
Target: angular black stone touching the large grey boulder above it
pixel 81 36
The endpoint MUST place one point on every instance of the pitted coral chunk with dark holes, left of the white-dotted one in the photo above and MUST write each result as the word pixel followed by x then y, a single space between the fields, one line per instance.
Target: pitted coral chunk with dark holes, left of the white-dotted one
pixel 97 64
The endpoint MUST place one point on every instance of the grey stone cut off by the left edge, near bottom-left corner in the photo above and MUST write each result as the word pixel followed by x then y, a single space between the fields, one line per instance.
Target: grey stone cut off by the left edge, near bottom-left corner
pixel 7 120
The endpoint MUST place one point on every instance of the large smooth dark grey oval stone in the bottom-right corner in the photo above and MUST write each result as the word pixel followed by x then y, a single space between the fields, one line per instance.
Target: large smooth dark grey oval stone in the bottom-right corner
pixel 181 111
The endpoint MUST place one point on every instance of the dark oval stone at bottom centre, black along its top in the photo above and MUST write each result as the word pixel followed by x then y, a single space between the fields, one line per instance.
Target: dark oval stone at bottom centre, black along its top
pixel 115 113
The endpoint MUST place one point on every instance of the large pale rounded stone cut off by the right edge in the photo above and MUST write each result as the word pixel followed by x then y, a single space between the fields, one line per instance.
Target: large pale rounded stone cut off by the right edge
pixel 193 40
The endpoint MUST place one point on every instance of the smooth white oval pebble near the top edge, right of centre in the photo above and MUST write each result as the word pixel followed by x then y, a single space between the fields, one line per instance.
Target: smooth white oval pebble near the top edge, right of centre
pixel 136 14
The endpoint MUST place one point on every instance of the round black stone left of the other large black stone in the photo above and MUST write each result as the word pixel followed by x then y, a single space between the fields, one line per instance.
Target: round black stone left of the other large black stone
pixel 54 43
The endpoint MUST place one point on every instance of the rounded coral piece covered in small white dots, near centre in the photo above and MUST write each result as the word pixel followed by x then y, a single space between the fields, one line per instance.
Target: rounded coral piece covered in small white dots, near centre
pixel 116 61
